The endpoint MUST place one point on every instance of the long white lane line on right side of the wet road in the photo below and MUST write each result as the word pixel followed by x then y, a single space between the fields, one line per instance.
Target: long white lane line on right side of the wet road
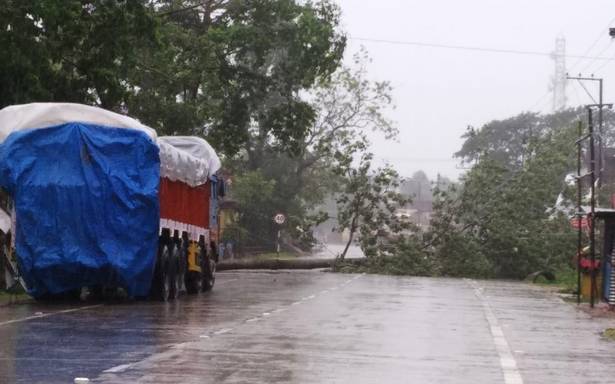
pixel 507 360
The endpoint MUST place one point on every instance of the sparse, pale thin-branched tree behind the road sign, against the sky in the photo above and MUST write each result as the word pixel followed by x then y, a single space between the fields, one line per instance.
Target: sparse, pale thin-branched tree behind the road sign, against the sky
pixel 347 105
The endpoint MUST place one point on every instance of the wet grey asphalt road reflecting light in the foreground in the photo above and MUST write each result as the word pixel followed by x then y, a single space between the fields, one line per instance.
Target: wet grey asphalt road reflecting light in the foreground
pixel 313 327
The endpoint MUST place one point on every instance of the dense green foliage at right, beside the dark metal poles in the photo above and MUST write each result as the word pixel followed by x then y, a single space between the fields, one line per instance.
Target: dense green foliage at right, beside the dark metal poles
pixel 500 221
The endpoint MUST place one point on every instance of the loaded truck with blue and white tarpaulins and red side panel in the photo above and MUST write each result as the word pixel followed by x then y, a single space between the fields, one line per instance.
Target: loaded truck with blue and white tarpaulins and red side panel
pixel 96 200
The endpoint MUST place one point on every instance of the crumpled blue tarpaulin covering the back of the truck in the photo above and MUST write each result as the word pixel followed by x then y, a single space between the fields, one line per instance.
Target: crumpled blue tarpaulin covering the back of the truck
pixel 86 203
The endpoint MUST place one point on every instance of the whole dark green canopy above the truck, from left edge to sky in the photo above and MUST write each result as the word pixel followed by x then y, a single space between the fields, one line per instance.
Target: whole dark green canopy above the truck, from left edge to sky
pixel 230 70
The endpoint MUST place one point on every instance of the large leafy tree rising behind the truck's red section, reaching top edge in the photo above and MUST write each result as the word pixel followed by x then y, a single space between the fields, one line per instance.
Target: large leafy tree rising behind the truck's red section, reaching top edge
pixel 238 70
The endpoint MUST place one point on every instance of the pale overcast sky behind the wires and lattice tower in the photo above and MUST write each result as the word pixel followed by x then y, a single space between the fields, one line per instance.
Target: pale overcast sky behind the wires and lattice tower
pixel 438 92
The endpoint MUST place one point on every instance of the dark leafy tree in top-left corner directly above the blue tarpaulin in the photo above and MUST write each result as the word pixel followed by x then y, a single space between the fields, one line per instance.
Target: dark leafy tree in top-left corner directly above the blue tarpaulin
pixel 80 51
